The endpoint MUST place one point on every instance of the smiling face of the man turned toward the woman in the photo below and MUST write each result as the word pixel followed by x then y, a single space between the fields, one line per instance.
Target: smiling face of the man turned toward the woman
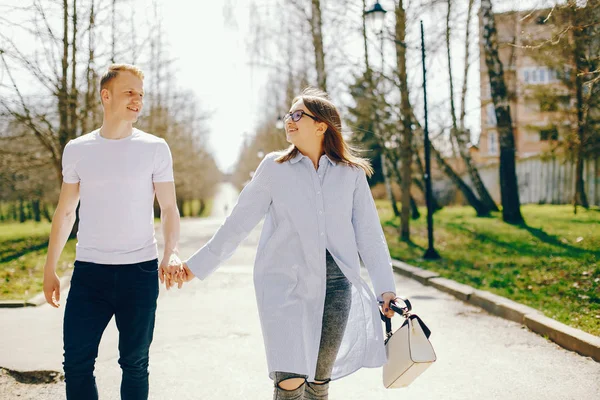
pixel 124 98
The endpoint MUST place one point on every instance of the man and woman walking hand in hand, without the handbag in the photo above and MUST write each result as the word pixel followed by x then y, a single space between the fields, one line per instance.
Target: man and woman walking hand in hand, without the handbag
pixel 320 320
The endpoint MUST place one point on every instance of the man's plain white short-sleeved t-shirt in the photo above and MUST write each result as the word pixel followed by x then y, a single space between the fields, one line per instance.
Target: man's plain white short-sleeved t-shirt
pixel 117 194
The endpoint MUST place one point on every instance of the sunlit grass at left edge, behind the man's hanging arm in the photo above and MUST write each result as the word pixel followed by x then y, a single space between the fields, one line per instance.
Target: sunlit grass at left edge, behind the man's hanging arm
pixel 23 249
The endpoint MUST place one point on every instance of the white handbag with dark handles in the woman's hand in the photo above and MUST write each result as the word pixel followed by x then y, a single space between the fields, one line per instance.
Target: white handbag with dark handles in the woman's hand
pixel 408 350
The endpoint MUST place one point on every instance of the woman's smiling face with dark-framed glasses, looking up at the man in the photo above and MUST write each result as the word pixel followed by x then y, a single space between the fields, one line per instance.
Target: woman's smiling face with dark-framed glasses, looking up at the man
pixel 300 127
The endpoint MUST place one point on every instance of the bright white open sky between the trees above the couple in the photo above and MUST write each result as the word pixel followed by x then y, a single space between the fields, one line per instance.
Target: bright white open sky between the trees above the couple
pixel 212 61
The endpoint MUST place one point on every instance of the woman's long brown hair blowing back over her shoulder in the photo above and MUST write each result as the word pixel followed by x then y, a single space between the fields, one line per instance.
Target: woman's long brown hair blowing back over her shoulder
pixel 334 145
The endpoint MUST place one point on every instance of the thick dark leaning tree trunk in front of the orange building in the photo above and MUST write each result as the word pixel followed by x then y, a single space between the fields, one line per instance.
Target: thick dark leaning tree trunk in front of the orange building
pixel 509 188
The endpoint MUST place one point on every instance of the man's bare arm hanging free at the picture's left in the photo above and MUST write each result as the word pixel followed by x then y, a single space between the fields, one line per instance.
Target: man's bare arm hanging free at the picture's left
pixel 62 223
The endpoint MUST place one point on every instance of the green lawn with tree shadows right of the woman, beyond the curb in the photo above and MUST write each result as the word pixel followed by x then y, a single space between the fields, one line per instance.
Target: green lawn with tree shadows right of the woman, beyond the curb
pixel 551 263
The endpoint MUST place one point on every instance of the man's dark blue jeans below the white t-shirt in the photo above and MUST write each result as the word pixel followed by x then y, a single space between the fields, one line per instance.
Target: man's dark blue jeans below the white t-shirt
pixel 98 292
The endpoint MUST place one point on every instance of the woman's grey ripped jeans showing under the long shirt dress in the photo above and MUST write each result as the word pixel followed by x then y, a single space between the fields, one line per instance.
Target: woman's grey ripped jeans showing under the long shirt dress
pixel 335 317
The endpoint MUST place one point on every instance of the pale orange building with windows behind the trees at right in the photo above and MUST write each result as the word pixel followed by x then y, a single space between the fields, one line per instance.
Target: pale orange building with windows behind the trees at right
pixel 536 92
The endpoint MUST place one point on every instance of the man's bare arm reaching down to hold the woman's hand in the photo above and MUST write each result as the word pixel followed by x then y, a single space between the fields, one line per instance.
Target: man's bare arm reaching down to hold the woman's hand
pixel 169 218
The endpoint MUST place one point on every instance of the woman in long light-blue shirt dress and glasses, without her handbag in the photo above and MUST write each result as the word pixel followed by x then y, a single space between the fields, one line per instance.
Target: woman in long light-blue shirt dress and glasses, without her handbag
pixel 319 319
